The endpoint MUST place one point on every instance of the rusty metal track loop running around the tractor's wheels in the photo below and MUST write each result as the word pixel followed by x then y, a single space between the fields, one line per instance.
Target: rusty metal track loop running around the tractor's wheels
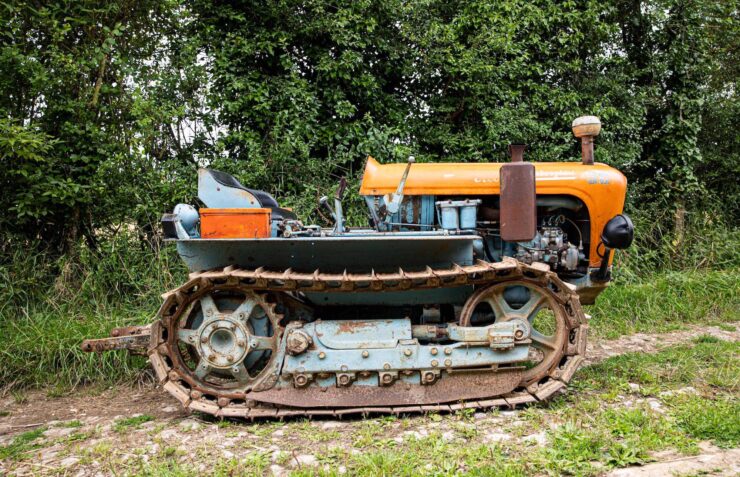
pixel 302 402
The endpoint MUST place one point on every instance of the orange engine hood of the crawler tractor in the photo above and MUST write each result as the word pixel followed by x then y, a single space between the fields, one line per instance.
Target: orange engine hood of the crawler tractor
pixel 600 187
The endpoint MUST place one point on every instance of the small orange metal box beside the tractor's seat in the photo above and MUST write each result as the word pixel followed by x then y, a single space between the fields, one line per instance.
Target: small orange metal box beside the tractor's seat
pixel 235 223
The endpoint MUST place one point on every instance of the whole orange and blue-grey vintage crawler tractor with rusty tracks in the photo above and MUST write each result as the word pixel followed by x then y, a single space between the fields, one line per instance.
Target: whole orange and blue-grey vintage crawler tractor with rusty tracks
pixel 465 291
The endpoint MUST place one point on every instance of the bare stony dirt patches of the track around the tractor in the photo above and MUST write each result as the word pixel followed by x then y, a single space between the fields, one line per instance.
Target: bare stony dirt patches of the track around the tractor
pixel 167 427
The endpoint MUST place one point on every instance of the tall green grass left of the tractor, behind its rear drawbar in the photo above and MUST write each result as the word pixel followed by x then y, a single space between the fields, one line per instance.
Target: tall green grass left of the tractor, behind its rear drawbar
pixel 48 306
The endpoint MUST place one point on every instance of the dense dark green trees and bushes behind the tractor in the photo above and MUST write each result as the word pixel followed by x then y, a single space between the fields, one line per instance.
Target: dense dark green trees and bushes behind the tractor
pixel 107 108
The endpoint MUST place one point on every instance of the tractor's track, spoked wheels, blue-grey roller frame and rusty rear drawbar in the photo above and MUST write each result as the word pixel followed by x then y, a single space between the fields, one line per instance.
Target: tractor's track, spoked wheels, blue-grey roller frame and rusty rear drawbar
pixel 221 345
